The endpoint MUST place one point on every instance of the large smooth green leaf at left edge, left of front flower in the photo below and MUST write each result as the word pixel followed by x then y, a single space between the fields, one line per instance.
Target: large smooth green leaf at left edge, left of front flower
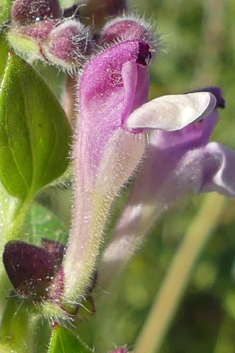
pixel 34 131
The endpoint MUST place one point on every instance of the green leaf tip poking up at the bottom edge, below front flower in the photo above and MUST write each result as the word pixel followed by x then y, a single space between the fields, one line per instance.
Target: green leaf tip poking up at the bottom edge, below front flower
pixel 63 341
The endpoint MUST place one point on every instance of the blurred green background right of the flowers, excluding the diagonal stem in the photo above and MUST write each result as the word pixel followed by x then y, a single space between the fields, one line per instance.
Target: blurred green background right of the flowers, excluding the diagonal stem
pixel 197 50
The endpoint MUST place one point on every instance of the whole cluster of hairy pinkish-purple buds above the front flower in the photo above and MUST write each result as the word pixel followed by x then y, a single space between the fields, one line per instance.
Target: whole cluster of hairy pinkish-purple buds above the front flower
pixel 40 30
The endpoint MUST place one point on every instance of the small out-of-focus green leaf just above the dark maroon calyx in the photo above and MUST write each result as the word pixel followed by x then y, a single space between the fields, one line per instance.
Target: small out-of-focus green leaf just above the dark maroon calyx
pixel 41 222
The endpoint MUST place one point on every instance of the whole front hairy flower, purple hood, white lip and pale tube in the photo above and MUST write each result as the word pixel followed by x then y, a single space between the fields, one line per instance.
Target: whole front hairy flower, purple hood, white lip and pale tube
pixel 110 141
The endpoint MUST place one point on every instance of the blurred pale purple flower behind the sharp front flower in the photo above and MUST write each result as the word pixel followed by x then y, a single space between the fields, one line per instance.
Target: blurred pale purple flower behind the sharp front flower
pixel 175 164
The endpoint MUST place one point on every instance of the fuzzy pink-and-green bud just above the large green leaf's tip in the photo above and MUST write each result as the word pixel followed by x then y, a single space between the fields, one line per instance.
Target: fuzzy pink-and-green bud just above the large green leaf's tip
pixel 65 43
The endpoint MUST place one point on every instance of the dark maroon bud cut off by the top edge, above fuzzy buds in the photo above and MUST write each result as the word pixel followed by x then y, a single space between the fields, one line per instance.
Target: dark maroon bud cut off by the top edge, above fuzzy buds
pixel 30 11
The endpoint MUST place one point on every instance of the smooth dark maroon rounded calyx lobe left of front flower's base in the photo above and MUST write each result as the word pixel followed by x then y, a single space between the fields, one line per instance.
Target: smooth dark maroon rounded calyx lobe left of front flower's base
pixel 29 268
